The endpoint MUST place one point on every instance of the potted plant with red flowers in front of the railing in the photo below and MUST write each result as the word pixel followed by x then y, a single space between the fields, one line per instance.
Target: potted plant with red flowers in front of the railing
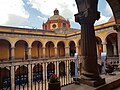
pixel 54 83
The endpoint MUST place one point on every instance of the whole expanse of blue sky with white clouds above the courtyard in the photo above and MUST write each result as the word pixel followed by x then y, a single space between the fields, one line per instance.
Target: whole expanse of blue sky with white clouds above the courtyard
pixel 32 13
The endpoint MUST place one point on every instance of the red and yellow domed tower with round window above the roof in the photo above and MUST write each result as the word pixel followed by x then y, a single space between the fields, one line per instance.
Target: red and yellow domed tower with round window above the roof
pixel 56 21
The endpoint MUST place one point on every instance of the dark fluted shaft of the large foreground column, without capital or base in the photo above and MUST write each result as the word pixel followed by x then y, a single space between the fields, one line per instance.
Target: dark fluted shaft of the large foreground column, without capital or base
pixel 88 50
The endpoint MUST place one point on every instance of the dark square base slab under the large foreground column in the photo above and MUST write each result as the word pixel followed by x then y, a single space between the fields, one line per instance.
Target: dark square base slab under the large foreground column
pixel 93 83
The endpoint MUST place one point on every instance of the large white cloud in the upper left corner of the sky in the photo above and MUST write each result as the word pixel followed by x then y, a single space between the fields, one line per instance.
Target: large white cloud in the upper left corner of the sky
pixel 12 12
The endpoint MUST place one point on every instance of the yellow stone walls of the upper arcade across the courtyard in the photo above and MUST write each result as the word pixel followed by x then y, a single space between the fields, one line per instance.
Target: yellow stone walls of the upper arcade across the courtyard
pixel 20 48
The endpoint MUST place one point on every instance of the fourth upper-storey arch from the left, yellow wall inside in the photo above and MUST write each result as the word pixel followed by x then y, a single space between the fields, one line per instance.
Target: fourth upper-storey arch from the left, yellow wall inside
pixel 50 50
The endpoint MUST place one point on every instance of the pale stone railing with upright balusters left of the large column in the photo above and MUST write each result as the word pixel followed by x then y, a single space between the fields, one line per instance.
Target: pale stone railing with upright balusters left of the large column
pixel 34 74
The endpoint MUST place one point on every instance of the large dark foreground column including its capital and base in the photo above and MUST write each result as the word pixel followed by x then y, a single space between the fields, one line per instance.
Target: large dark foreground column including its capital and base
pixel 90 74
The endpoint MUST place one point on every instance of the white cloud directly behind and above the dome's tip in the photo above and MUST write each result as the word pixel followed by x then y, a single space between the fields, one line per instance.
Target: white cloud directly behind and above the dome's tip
pixel 67 8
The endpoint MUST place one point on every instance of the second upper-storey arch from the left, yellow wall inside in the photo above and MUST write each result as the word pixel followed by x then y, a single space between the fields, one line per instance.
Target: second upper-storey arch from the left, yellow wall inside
pixel 21 49
